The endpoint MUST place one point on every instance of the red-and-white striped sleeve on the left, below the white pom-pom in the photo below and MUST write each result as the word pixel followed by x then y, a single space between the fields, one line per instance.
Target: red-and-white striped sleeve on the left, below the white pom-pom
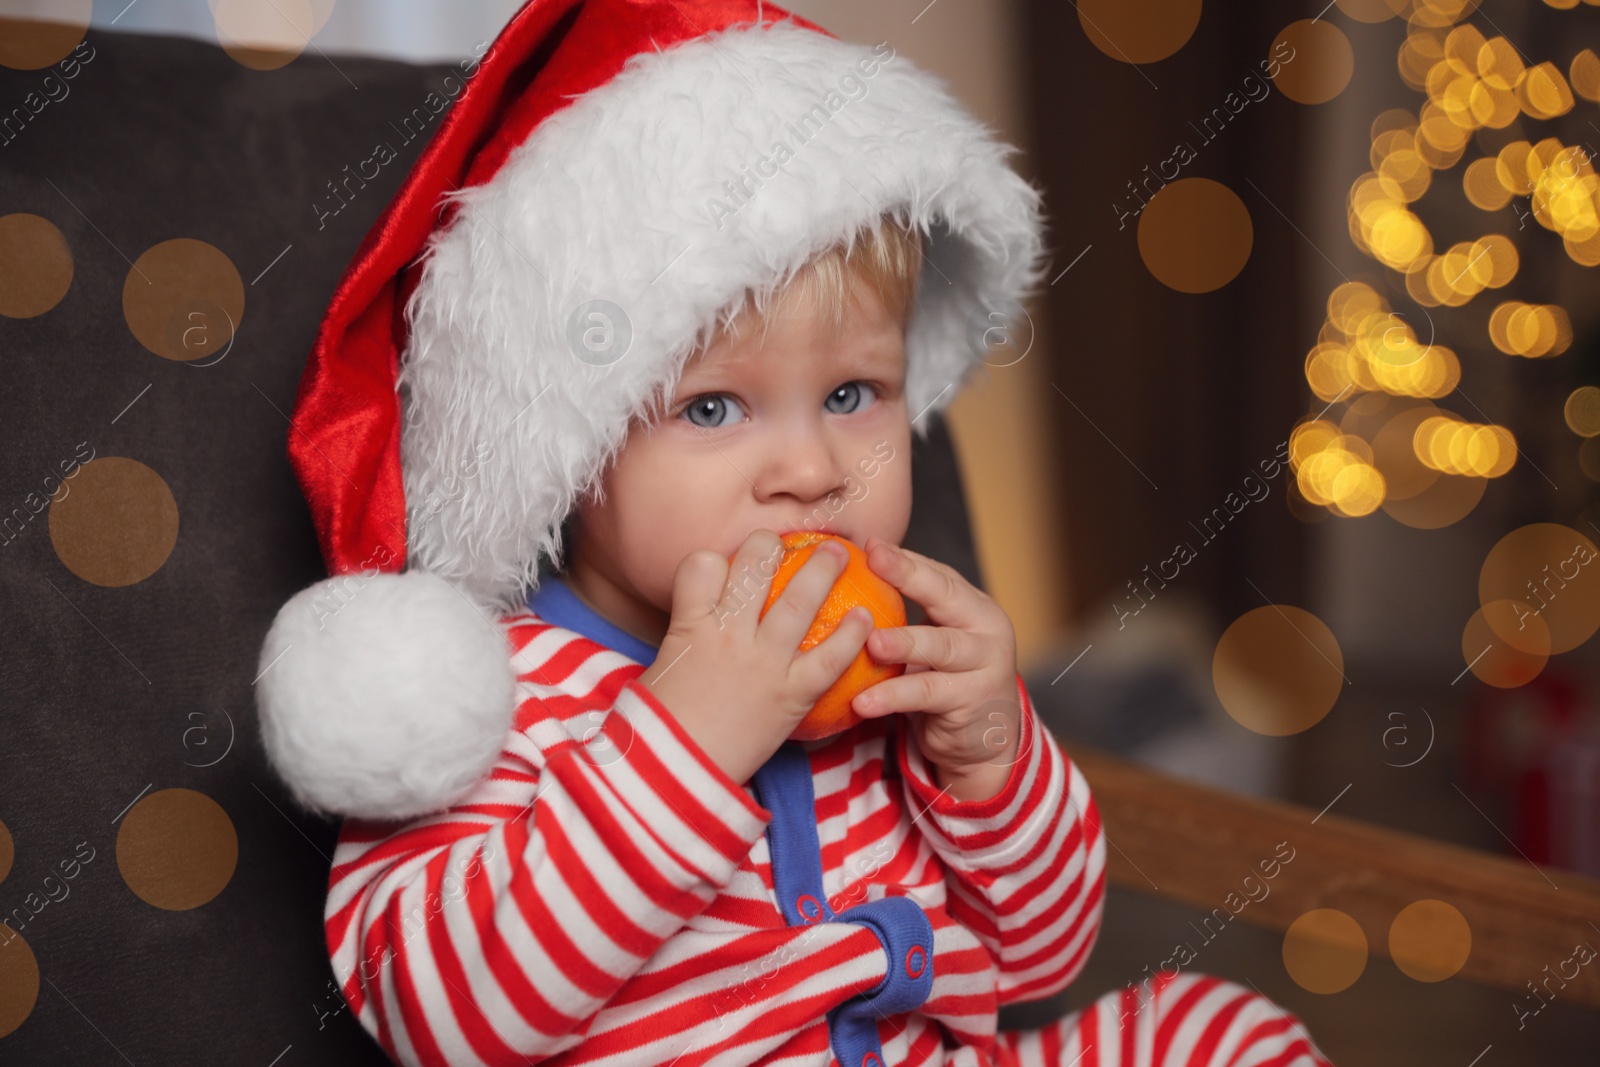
pixel 495 932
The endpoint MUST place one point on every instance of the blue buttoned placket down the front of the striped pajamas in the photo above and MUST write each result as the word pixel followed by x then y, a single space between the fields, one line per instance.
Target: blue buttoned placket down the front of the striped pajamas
pixel 783 786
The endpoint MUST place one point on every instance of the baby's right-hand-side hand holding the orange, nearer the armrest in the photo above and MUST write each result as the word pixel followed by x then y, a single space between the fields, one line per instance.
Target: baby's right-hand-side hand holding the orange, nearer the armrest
pixel 961 681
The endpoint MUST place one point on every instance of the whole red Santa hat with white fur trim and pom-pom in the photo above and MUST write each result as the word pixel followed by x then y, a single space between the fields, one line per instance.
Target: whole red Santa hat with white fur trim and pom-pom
pixel 614 177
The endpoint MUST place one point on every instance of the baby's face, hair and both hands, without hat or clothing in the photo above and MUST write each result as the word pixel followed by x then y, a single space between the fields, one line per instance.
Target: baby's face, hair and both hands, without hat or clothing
pixel 764 436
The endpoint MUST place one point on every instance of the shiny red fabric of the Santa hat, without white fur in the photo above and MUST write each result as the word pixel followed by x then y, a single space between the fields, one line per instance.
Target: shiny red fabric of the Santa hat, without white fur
pixel 346 447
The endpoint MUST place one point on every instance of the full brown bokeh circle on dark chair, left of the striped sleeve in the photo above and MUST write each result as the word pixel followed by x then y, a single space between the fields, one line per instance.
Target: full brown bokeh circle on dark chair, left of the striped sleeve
pixel 177 850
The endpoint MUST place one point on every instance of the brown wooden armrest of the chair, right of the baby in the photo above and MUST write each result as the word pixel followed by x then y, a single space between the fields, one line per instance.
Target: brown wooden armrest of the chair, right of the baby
pixel 1191 844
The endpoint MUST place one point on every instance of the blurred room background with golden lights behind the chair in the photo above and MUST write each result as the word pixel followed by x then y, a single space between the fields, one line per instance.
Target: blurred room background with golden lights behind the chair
pixel 1289 478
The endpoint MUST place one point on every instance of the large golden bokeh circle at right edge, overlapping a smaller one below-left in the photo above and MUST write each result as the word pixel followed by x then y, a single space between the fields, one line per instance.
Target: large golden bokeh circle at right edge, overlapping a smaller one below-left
pixel 1550 567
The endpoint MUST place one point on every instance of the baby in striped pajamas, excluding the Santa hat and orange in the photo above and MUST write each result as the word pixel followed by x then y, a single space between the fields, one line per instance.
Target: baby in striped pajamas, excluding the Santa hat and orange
pixel 690 885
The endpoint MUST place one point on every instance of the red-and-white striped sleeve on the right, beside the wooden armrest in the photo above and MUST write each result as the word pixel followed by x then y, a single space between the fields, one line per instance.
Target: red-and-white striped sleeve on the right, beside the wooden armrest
pixel 1026 868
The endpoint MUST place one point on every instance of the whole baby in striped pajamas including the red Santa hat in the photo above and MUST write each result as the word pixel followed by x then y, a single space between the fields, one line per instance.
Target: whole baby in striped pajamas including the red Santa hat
pixel 682 276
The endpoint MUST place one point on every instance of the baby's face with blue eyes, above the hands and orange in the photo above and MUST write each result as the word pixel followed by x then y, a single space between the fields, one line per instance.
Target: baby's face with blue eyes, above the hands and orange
pixel 793 433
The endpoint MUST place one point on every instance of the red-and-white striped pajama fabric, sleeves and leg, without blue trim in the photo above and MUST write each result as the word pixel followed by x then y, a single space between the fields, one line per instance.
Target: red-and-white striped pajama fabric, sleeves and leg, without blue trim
pixel 607 897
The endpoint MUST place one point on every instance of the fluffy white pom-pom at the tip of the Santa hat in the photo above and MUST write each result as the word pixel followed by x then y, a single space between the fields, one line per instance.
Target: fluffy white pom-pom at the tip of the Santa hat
pixel 383 697
